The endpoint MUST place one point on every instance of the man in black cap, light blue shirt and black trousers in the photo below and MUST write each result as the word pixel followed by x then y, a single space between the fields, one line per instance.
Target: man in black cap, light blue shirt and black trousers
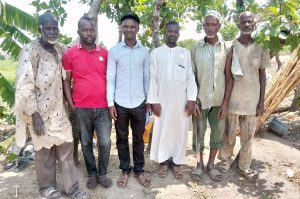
pixel 127 88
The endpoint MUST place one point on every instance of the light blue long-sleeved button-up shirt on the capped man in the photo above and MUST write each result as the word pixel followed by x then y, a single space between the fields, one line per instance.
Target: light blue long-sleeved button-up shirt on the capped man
pixel 127 75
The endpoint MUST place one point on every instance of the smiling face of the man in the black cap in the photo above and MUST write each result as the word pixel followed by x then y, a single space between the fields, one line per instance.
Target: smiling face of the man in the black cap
pixel 129 28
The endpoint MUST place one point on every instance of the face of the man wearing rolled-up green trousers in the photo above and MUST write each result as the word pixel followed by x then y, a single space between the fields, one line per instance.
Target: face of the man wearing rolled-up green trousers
pixel 211 26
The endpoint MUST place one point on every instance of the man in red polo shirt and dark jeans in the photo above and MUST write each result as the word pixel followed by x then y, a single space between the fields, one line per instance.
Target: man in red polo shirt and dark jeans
pixel 86 64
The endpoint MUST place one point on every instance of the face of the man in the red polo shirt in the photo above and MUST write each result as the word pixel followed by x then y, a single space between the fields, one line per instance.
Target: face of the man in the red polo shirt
pixel 87 32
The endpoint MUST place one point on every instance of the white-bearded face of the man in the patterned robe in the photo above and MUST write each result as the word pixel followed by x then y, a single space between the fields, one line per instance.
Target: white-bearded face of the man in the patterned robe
pixel 49 32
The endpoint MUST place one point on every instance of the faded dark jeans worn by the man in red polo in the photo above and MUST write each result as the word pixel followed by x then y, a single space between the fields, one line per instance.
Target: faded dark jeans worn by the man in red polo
pixel 88 120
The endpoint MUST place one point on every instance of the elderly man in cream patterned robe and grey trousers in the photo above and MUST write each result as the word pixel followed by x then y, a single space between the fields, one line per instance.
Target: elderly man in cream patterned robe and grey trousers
pixel 39 107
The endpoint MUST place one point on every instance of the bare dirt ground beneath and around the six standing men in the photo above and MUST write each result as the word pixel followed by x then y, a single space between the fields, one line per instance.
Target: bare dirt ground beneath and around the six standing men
pixel 277 159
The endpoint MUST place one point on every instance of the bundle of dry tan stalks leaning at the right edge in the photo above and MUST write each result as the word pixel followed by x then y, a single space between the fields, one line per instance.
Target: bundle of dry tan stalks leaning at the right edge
pixel 284 81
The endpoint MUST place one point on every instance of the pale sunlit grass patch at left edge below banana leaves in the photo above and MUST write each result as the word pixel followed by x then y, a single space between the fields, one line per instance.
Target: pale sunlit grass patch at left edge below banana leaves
pixel 8 69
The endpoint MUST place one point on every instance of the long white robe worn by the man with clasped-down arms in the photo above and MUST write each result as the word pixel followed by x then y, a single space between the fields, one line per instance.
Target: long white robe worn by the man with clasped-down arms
pixel 172 83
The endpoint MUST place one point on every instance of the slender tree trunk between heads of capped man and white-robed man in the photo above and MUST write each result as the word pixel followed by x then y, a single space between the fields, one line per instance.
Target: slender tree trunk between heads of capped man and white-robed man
pixel 155 23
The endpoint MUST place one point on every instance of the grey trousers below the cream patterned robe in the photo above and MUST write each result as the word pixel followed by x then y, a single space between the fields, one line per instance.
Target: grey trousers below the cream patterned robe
pixel 45 165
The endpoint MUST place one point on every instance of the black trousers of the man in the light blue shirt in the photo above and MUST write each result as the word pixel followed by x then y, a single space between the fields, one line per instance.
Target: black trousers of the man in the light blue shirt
pixel 137 118
